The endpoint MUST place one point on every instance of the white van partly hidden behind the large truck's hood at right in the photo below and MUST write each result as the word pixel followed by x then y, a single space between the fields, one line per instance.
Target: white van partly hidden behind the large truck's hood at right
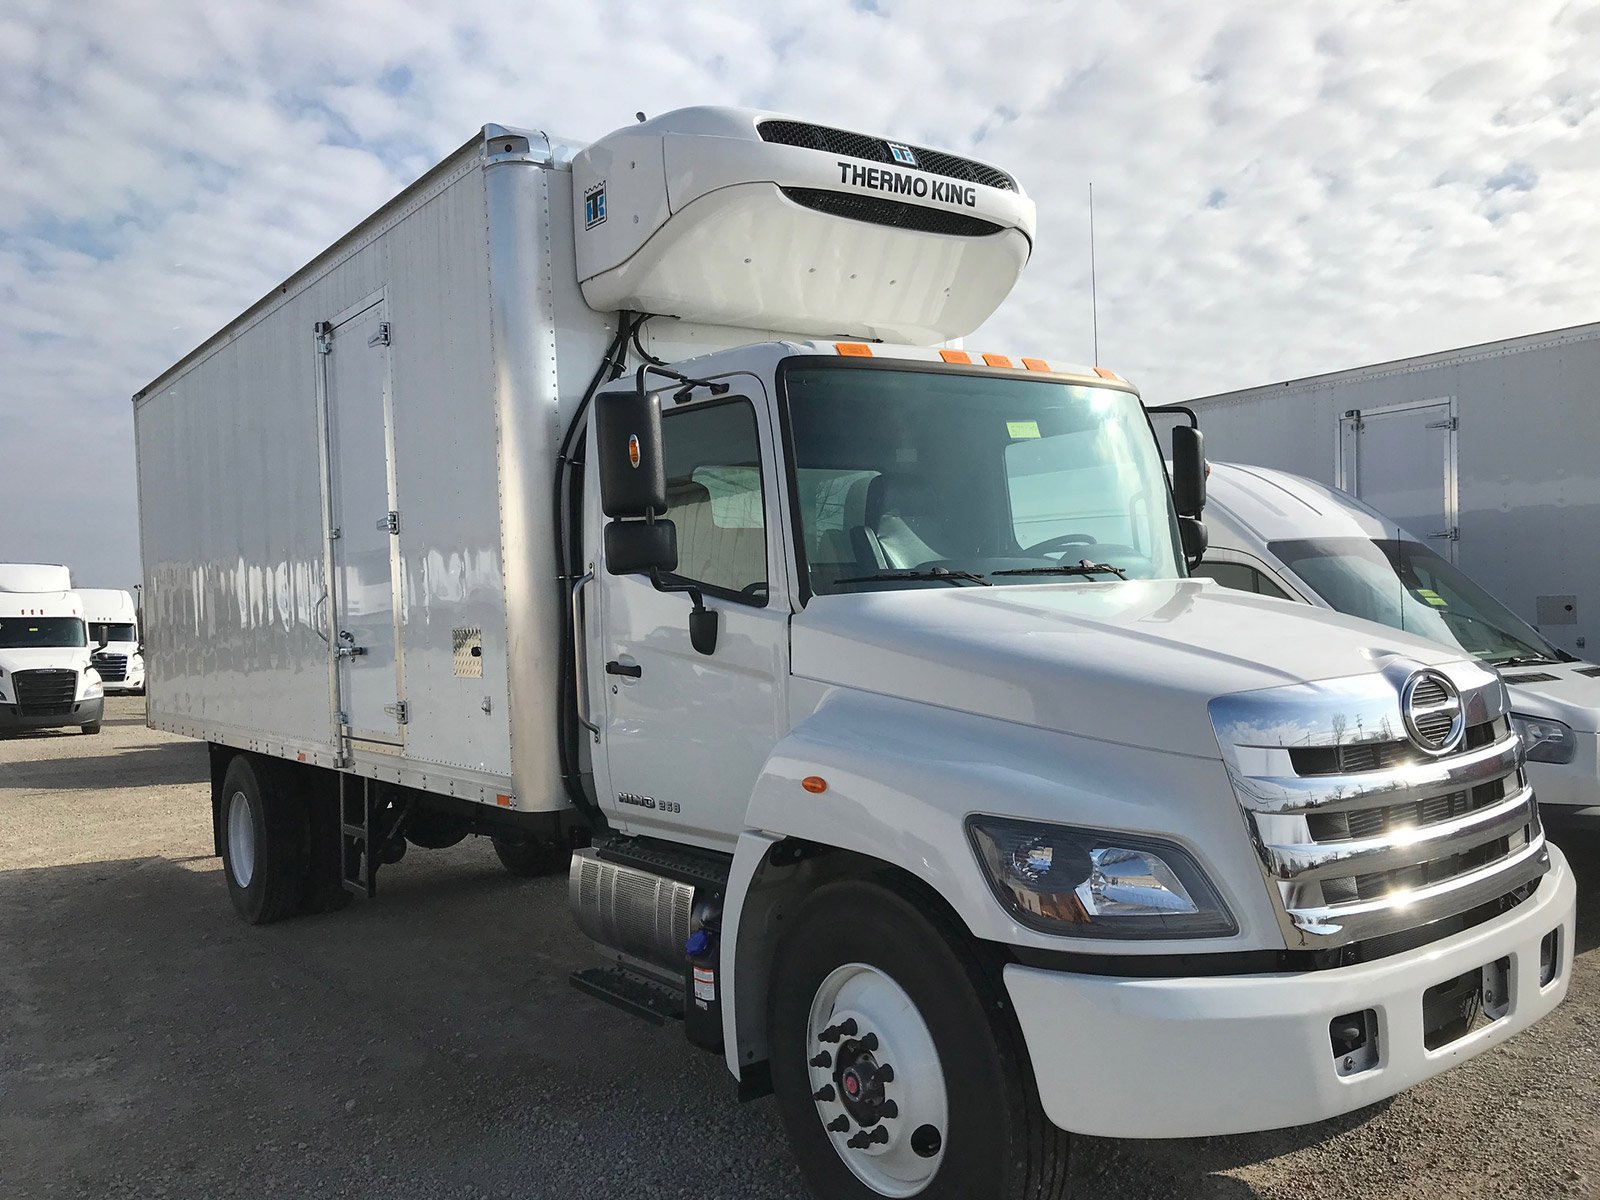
pixel 1282 535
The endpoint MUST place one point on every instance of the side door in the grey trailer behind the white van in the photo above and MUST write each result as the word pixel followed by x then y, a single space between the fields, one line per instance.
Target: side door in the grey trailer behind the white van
pixel 1402 462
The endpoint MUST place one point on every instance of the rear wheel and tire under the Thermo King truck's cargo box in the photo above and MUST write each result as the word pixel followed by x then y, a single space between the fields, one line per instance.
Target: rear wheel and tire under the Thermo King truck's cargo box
pixel 266 842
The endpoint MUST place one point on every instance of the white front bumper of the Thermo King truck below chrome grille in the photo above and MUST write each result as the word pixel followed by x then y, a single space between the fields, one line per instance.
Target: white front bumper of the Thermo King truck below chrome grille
pixel 1199 1057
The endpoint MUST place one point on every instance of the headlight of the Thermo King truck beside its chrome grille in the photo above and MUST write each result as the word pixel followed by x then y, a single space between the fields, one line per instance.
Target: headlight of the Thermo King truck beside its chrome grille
pixel 1094 884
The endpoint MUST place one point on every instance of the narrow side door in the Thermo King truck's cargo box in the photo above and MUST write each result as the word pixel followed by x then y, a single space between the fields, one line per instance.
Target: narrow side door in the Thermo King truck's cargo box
pixel 364 529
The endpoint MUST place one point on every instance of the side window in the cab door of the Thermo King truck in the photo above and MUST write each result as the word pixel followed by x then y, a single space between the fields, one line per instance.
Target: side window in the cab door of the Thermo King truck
pixel 716 498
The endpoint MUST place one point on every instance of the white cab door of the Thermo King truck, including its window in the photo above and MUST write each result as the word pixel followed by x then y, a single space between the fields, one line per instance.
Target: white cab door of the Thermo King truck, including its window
pixel 686 735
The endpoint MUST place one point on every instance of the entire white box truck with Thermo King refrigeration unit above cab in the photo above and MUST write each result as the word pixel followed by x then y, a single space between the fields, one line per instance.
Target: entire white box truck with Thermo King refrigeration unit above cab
pixel 633 506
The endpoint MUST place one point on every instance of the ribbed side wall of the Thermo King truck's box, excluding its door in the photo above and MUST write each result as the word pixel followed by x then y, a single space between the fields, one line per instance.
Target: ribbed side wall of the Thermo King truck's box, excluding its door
pixel 231 492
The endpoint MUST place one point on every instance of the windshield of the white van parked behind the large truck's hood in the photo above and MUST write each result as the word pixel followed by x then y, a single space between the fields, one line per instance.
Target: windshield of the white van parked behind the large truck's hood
pixel 1407 586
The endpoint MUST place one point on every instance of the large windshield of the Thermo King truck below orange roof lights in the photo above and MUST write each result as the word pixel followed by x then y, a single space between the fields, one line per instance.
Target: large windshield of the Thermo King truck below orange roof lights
pixel 913 471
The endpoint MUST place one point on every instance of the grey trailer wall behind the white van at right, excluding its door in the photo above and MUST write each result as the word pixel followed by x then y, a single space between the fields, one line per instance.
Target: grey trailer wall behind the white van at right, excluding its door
pixel 1527 460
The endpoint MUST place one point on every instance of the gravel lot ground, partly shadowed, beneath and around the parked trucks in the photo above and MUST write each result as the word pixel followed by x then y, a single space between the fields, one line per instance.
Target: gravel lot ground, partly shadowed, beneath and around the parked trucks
pixel 428 1044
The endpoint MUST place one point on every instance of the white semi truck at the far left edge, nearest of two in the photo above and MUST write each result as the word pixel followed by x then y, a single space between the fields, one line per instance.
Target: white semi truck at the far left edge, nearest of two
pixel 47 679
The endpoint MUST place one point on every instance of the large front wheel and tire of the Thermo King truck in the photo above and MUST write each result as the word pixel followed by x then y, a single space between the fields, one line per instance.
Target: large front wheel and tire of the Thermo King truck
pixel 858 953
